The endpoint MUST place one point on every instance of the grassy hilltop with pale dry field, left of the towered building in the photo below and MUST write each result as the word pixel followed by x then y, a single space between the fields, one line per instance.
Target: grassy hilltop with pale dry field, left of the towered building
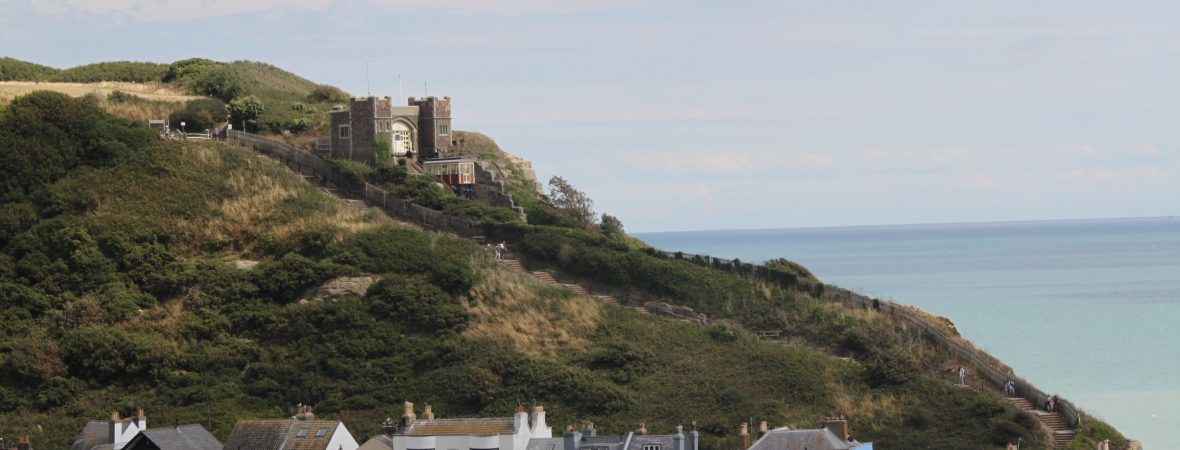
pixel 287 103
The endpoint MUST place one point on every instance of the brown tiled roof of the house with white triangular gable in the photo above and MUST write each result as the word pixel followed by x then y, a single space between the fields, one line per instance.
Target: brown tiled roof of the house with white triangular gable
pixel 281 435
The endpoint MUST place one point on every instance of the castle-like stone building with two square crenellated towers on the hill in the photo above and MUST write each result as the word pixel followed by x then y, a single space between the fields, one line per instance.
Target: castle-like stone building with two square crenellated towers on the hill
pixel 375 129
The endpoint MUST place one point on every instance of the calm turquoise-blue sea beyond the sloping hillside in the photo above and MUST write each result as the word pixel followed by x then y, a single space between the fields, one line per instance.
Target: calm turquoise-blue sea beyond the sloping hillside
pixel 1085 309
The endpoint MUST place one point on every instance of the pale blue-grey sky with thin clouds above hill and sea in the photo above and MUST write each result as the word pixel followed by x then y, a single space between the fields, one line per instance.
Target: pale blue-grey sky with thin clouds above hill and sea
pixel 710 115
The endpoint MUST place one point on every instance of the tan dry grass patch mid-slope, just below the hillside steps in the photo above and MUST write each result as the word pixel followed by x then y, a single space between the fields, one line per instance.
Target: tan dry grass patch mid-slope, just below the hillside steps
pixel 537 319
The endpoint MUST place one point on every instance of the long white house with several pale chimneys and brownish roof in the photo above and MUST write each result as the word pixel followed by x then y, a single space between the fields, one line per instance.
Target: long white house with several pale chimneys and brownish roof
pixel 430 433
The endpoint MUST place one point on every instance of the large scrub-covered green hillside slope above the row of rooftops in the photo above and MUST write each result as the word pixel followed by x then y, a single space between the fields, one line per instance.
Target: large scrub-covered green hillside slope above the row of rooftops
pixel 117 291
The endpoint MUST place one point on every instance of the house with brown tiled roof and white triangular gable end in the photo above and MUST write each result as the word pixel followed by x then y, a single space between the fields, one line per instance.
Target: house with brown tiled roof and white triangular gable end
pixel 300 433
